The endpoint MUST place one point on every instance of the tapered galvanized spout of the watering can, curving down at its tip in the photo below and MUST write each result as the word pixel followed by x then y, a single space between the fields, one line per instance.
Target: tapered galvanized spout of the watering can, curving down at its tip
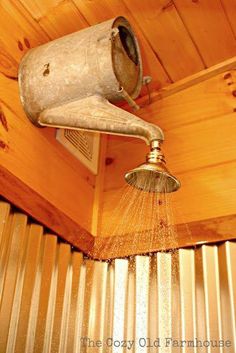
pixel 96 114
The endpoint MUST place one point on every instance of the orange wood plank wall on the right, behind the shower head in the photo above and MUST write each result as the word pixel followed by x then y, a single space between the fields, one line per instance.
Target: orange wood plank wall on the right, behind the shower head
pixel 199 126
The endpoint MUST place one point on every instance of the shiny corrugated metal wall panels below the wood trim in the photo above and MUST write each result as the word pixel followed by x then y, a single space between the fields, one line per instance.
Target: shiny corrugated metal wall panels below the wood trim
pixel 51 298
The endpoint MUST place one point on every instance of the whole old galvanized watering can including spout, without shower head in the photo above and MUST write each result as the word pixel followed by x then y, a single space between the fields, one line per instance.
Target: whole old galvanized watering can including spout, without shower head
pixel 72 82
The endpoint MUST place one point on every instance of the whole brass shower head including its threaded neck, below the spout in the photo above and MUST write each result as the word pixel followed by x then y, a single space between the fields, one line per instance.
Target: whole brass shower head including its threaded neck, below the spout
pixel 153 176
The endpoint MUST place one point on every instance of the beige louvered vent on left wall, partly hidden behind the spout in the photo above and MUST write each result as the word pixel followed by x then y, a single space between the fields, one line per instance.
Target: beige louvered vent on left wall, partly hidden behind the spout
pixel 83 145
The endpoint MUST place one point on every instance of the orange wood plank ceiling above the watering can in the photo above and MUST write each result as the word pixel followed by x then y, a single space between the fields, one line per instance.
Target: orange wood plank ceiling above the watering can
pixel 177 37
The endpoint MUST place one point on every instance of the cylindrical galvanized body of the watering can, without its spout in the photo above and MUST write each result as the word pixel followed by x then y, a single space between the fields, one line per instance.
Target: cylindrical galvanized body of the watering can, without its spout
pixel 100 60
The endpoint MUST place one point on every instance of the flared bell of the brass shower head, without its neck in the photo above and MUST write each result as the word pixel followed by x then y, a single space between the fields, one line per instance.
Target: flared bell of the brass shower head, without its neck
pixel 152 177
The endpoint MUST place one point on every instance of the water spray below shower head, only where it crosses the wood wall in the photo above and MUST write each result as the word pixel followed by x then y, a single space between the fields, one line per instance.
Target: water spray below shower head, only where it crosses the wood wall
pixel 142 221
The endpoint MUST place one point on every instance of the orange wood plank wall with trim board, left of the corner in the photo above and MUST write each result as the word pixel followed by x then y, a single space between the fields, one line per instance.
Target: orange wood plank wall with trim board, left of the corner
pixel 37 174
